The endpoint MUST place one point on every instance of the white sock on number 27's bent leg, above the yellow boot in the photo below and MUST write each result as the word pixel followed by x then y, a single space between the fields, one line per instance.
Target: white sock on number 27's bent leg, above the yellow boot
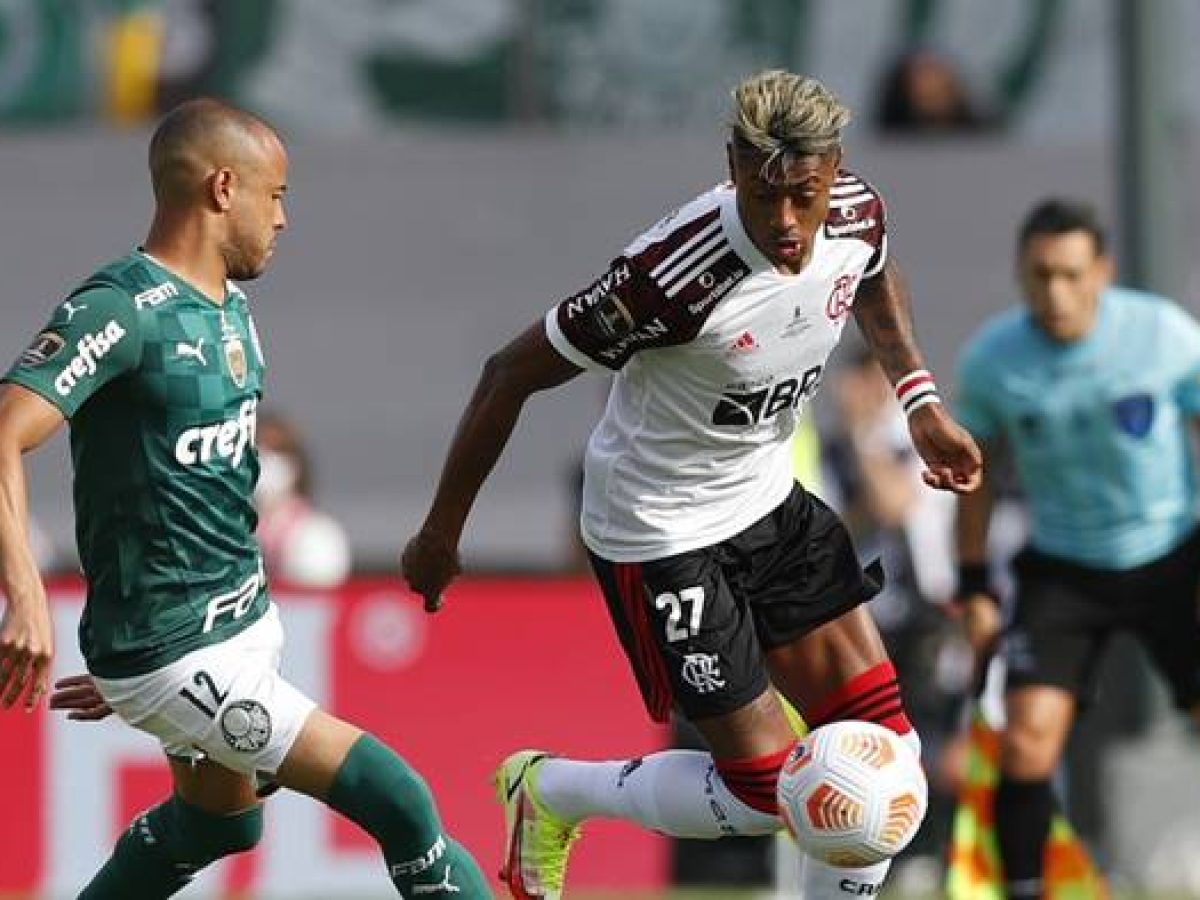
pixel 677 793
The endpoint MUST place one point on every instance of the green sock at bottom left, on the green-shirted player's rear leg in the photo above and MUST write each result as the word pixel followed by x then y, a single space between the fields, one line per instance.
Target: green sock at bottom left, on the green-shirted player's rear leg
pixel 164 848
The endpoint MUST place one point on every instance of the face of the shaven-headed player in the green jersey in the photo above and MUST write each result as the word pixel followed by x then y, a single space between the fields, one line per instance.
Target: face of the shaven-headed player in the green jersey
pixel 256 212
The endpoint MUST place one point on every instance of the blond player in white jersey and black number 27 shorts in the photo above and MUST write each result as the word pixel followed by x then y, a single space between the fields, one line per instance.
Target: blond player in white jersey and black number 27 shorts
pixel 725 580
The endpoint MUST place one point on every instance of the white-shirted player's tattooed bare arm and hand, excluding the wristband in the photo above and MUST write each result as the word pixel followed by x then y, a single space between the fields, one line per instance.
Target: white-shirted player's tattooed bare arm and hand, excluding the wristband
pixel 883 311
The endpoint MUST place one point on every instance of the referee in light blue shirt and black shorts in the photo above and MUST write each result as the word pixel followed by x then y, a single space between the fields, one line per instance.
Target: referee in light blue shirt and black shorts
pixel 1091 388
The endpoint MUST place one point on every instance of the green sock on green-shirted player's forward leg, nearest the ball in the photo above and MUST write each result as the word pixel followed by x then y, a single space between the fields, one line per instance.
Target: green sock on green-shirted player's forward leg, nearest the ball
pixel 389 801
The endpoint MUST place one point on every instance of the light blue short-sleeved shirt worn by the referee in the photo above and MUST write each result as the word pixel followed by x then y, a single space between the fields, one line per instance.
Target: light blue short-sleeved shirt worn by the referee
pixel 1099 429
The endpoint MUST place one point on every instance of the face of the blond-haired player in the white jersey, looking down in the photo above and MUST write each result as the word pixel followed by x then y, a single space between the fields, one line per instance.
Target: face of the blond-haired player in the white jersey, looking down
pixel 782 211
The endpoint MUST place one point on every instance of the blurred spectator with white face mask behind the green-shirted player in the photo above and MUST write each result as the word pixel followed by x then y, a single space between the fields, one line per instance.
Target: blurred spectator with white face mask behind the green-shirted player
pixel 302 545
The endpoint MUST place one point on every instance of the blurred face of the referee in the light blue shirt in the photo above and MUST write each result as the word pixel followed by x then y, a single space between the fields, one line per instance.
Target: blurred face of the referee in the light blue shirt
pixel 1063 278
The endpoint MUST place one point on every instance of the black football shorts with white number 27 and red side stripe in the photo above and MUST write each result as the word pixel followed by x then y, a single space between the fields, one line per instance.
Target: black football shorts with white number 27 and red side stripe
pixel 695 626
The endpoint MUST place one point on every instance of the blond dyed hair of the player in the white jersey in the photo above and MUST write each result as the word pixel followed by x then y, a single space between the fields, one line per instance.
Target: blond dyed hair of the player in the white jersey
pixel 784 116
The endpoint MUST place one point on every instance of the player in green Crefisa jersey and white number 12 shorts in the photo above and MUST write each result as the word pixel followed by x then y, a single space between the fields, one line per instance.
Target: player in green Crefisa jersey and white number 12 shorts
pixel 157 365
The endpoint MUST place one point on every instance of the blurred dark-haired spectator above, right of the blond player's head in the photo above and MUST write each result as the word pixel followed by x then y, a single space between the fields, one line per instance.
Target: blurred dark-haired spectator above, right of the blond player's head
pixel 925 93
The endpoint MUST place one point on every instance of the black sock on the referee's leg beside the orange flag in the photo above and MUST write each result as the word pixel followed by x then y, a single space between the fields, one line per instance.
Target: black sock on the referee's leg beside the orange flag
pixel 1023 827
